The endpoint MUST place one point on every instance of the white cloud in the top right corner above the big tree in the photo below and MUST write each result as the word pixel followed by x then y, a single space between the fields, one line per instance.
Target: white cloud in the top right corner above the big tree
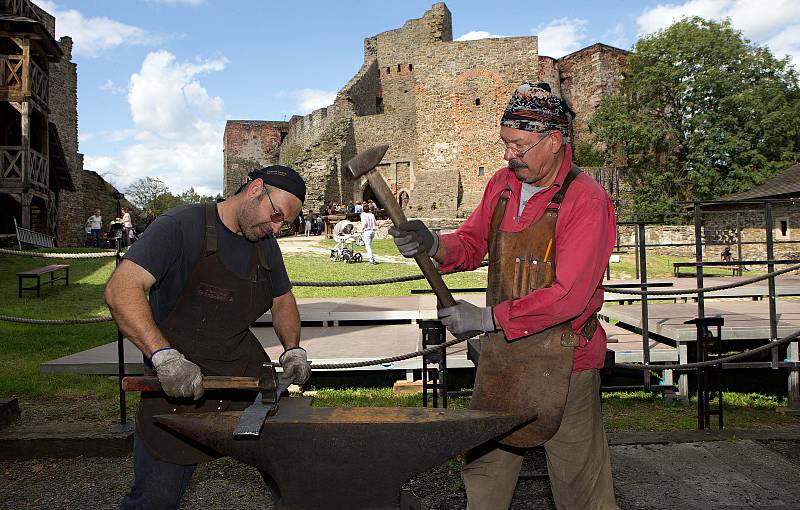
pixel 775 23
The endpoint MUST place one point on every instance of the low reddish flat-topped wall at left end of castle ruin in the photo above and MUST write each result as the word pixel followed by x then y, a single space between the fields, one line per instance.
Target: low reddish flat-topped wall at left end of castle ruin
pixel 249 144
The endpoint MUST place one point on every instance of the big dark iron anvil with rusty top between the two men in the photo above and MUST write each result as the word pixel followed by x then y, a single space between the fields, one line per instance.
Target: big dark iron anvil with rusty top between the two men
pixel 345 458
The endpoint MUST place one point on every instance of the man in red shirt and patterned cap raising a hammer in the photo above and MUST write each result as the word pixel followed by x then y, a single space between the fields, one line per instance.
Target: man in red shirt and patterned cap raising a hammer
pixel 548 230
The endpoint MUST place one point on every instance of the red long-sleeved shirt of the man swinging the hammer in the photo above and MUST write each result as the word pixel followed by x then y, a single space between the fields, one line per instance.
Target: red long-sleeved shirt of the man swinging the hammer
pixel 585 234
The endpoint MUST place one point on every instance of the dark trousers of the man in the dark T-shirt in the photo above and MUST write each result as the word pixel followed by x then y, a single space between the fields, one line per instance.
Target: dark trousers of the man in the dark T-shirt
pixel 156 485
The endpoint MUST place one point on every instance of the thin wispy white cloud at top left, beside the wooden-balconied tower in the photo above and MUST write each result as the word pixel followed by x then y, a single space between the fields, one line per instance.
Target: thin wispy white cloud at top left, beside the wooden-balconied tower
pixel 93 36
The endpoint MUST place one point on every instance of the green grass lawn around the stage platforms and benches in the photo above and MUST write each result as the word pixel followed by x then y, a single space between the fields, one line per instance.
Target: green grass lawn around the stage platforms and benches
pixel 23 347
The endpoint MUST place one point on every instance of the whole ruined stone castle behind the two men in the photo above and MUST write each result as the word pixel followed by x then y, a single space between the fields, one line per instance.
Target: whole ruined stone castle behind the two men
pixel 437 102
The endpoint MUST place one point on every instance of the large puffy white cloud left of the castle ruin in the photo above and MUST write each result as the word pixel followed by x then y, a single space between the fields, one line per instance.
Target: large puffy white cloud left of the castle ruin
pixel 178 127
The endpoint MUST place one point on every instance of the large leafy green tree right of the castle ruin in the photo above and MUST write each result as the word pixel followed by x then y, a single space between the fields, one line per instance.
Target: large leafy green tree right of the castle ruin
pixel 702 113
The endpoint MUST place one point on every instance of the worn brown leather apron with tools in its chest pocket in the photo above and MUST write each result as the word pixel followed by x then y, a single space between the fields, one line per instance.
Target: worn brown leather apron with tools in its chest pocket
pixel 532 372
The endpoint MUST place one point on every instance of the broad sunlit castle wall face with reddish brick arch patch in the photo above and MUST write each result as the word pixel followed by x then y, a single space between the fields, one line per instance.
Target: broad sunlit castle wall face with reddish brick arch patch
pixel 462 89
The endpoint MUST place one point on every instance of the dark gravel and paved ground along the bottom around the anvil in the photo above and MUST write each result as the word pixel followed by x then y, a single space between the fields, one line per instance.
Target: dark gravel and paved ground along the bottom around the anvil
pixel 717 474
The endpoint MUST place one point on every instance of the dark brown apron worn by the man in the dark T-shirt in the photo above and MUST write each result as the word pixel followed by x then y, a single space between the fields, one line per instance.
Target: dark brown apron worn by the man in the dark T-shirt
pixel 210 325
